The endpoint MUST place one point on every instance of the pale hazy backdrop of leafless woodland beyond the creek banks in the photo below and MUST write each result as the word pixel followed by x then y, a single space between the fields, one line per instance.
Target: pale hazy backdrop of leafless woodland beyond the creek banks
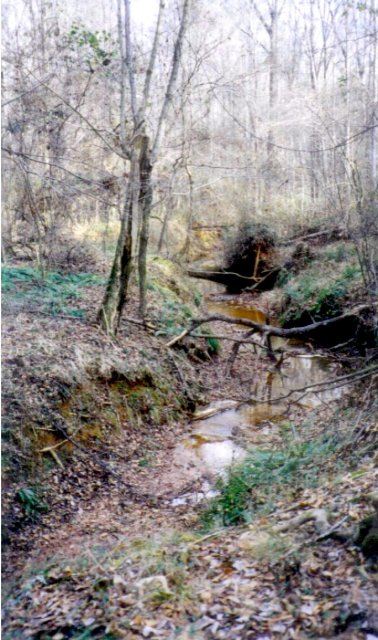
pixel 252 111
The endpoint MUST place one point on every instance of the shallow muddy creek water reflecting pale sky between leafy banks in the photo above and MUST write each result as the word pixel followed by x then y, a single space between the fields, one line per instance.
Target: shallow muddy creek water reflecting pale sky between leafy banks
pixel 222 432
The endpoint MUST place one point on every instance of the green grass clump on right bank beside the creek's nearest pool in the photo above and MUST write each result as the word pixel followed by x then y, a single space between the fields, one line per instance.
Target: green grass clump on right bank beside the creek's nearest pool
pixel 255 485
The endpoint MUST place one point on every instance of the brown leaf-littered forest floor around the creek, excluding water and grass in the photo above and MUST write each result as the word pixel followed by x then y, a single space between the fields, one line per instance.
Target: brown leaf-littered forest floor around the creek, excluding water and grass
pixel 114 557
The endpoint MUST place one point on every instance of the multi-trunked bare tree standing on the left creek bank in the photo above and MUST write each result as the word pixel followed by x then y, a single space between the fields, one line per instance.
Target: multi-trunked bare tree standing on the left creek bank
pixel 142 148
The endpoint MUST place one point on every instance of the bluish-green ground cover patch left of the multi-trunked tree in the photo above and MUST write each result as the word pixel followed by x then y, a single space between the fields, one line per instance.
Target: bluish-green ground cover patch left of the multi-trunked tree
pixel 54 292
